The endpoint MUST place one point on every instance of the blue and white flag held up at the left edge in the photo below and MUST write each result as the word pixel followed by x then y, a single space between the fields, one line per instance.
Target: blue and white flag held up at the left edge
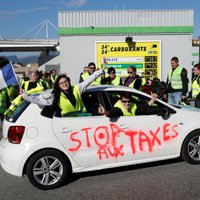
pixel 7 73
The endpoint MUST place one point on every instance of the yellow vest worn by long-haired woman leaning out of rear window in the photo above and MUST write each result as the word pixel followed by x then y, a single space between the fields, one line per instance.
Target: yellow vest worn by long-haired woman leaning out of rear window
pixel 67 109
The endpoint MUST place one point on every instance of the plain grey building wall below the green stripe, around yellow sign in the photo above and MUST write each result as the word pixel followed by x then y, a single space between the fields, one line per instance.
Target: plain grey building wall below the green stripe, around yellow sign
pixel 77 51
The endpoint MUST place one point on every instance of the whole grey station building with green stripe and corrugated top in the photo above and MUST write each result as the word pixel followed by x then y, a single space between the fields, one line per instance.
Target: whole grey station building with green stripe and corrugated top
pixel 80 30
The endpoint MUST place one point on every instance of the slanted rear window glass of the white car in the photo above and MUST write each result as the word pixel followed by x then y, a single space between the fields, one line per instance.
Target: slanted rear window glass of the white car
pixel 14 115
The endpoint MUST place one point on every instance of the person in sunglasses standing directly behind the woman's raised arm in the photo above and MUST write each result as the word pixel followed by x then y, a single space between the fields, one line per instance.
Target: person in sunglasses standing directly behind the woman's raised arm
pixel 91 69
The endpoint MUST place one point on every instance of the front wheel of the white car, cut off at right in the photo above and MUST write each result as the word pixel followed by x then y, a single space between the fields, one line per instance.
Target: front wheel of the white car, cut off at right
pixel 191 148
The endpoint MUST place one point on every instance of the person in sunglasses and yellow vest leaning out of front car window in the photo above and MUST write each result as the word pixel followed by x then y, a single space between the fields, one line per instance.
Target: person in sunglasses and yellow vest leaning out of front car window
pixel 125 107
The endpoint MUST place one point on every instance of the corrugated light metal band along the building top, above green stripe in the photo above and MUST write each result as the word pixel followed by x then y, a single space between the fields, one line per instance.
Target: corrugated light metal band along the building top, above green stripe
pixel 125 18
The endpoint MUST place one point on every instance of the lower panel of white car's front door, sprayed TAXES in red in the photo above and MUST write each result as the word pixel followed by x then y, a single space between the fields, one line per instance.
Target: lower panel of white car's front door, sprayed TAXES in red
pixel 146 137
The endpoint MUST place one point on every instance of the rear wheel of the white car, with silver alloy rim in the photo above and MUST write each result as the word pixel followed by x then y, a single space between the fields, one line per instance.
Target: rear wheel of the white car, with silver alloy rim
pixel 48 169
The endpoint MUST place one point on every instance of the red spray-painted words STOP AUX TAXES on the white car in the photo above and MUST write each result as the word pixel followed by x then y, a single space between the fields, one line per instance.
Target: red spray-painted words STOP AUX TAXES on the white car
pixel 105 137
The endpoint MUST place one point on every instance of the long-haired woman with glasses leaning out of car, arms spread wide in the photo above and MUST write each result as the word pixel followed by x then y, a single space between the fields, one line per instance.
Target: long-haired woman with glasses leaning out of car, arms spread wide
pixel 65 99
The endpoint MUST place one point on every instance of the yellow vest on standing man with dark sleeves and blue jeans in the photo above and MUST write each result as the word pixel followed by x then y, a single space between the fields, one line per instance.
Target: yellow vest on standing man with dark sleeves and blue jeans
pixel 175 78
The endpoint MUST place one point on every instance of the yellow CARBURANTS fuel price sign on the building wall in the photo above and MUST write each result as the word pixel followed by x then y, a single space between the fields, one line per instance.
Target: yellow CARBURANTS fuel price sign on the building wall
pixel 145 56
